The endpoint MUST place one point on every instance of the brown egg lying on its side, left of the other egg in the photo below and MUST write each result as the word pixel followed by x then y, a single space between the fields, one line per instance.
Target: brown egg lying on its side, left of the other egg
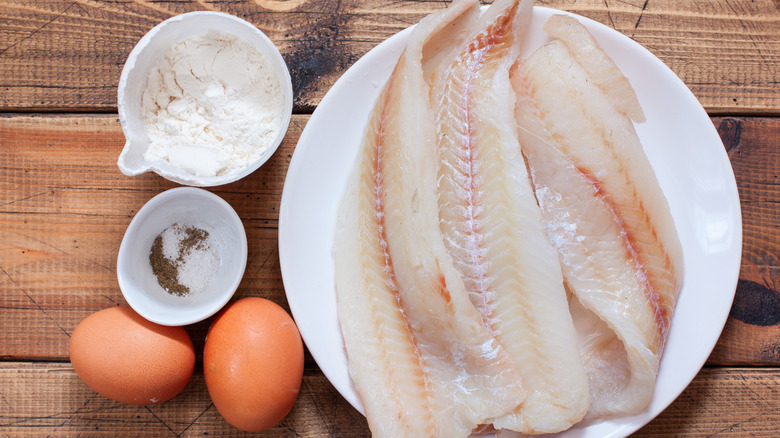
pixel 126 358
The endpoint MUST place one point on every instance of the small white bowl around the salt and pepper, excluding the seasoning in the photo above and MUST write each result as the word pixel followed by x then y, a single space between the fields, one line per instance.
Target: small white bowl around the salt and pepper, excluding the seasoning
pixel 190 206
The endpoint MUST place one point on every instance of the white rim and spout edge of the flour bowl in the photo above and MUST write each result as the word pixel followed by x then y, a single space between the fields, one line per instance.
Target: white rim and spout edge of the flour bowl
pixel 285 81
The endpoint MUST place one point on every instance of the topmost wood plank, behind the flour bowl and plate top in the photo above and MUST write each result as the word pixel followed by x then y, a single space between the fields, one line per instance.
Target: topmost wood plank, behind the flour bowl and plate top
pixel 59 55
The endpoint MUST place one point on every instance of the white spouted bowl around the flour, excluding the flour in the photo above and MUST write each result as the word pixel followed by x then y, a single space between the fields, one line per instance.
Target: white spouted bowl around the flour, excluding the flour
pixel 145 56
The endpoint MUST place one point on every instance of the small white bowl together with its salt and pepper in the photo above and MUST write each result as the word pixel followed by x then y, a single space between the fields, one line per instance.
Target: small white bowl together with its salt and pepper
pixel 211 266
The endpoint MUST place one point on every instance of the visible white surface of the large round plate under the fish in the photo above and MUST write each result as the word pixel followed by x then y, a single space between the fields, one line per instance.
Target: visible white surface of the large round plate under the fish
pixel 680 141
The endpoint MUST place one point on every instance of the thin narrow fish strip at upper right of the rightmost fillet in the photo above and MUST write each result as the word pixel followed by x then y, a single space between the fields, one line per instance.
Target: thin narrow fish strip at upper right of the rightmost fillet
pixel 597 63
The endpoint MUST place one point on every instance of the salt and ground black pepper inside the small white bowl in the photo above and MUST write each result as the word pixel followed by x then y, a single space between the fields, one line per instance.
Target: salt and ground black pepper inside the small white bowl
pixel 184 259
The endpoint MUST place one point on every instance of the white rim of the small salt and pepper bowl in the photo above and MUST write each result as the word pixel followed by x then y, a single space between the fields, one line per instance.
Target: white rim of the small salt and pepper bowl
pixel 217 300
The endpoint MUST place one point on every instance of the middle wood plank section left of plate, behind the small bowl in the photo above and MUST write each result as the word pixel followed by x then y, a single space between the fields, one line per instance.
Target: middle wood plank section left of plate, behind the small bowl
pixel 64 208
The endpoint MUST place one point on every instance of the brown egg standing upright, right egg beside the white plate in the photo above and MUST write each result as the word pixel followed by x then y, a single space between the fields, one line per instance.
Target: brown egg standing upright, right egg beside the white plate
pixel 253 363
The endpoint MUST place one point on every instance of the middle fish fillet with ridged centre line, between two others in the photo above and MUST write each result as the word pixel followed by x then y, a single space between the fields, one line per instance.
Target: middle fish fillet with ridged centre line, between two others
pixel 492 225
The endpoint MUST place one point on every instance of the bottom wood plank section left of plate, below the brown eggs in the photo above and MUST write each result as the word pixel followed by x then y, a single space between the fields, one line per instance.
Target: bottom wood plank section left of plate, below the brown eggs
pixel 49 399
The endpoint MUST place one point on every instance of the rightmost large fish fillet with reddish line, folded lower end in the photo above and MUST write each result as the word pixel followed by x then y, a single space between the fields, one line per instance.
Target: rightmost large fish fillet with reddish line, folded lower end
pixel 607 216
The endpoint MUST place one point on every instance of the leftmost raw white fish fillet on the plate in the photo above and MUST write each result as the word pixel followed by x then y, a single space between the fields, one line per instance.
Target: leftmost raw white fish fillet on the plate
pixel 418 354
